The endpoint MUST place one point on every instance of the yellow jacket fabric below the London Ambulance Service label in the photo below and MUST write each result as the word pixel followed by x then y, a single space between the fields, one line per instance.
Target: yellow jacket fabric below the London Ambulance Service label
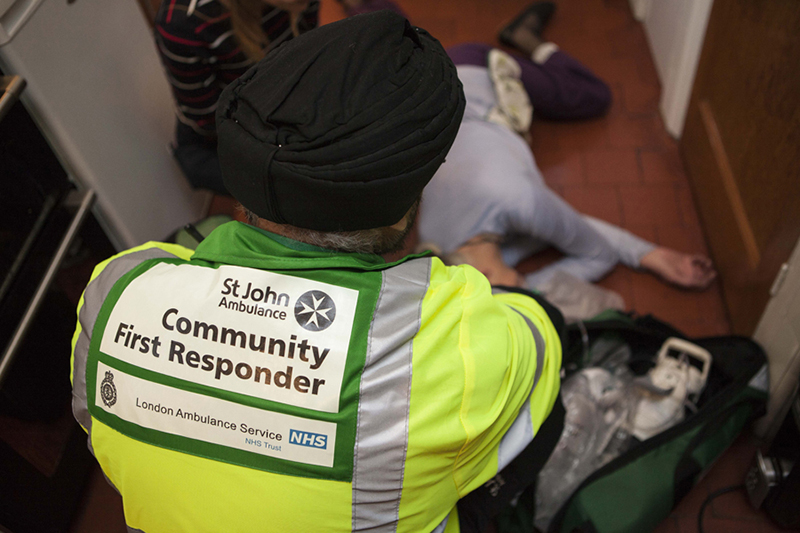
pixel 169 492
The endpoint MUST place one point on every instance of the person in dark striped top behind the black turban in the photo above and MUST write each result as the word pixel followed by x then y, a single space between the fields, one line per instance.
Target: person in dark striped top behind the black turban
pixel 206 44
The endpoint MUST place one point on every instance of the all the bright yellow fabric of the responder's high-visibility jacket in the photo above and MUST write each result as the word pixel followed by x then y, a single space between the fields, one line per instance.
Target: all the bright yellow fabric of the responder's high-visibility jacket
pixel 474 362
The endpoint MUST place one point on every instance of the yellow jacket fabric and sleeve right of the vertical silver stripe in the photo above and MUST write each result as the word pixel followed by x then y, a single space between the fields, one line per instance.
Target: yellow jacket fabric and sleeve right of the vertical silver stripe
pixel 474 364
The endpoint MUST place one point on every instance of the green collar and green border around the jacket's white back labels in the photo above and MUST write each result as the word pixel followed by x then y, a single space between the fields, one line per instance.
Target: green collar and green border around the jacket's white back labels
pixel 307 264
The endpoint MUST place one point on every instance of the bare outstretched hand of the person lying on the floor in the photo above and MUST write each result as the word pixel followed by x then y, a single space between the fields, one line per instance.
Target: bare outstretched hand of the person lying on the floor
pixel 691 271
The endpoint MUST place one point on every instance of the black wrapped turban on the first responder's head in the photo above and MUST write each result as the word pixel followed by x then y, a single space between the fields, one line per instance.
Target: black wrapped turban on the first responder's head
pixel 342 127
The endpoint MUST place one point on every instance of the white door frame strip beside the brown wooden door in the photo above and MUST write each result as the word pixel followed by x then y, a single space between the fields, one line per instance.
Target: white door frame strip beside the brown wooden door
pixel 675 30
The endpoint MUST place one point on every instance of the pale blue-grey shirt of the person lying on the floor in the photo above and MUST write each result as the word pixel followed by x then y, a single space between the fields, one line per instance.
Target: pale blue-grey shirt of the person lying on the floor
pixel 490 184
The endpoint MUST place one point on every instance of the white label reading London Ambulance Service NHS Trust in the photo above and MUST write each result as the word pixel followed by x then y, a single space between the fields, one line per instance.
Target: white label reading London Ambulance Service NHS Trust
pixel 196 416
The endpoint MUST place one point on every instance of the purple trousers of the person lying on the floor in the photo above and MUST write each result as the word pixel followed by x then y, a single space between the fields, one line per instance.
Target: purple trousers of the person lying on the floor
pixel 561 88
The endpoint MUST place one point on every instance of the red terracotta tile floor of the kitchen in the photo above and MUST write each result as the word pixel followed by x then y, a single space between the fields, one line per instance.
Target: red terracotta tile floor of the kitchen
pixel 623 168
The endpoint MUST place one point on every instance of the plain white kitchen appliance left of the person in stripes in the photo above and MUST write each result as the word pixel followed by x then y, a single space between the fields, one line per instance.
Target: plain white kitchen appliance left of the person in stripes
pixel 99 94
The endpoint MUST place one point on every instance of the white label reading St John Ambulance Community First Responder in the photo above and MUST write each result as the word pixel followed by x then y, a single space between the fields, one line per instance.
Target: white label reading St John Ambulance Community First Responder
pixel 267 335
